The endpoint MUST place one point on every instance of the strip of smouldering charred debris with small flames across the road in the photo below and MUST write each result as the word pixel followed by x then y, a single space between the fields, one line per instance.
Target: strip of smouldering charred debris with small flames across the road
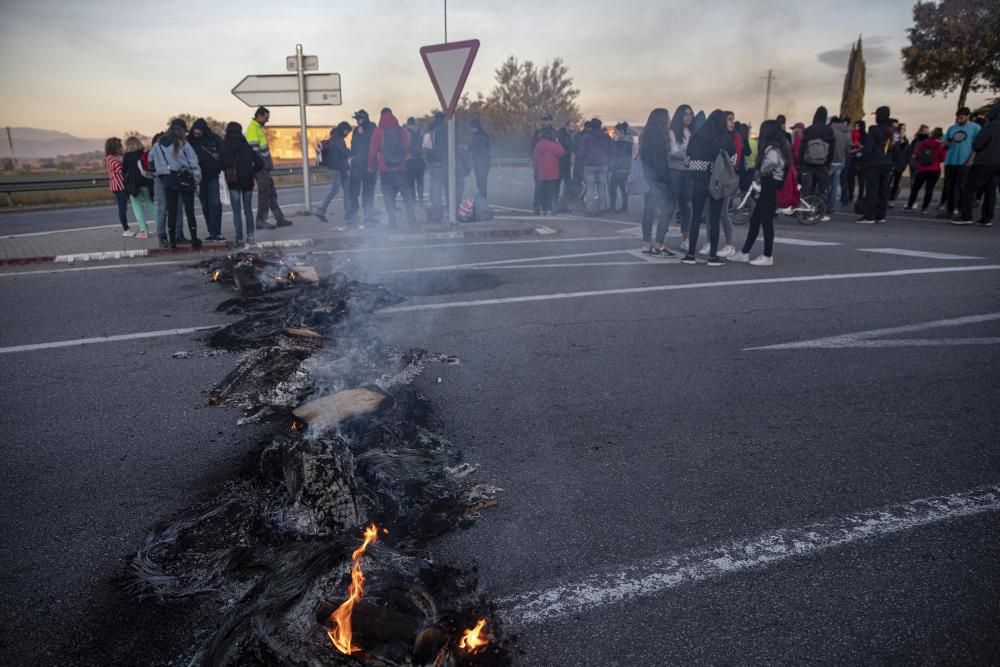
pixel 314 555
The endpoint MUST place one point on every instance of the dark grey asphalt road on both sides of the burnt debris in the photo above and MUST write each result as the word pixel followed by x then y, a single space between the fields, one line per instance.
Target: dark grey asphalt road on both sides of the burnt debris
pixel 618 403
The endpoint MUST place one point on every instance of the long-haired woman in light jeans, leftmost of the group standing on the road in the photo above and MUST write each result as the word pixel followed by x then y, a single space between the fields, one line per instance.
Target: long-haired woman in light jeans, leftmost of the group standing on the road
pixel 654 153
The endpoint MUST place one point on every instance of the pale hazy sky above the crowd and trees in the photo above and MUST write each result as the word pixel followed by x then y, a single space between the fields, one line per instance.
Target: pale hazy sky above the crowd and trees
pixel 95 68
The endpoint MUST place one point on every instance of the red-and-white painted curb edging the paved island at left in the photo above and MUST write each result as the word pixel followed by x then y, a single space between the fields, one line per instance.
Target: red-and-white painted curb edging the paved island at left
pixel 327 244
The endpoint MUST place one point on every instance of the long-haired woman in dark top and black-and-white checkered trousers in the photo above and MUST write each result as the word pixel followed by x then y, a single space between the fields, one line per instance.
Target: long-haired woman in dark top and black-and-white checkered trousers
pixel 711 140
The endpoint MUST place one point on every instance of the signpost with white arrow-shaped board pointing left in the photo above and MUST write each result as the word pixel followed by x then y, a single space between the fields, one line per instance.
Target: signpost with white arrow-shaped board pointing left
pixel 291 90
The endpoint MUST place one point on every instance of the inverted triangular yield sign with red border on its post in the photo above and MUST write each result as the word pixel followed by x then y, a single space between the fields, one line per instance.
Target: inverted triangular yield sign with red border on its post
pixel 449 65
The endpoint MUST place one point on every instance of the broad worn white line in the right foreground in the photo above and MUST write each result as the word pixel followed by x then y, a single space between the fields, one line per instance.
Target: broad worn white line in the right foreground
pixel 621 583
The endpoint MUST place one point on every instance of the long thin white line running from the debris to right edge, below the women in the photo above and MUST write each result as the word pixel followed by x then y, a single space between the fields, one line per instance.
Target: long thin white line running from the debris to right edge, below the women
pixel 683 286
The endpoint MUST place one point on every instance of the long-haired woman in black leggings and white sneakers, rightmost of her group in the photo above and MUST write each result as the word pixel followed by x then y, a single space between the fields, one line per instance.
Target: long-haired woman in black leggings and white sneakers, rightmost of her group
pixel 773 158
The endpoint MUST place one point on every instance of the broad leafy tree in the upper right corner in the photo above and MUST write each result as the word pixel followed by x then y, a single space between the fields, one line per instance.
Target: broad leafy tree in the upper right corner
pixel 953 46
